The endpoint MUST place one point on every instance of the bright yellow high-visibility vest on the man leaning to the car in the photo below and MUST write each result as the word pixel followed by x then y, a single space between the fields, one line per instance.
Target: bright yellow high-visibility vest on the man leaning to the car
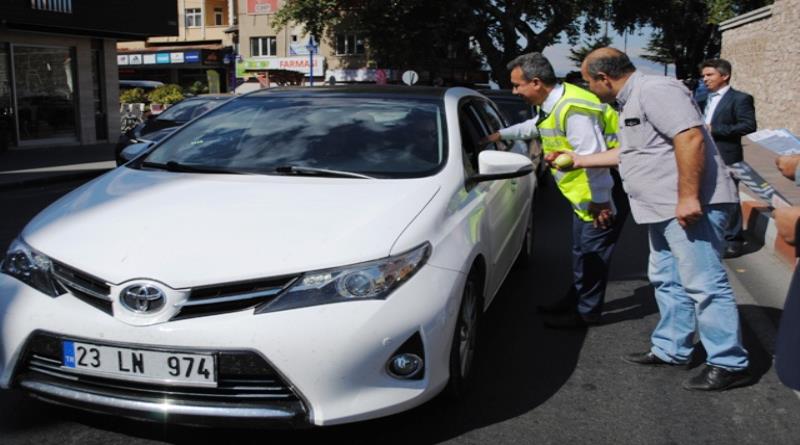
pixel 574 185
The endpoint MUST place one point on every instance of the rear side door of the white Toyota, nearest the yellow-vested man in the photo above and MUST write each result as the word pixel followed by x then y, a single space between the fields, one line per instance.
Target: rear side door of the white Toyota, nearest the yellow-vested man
pixel 518 192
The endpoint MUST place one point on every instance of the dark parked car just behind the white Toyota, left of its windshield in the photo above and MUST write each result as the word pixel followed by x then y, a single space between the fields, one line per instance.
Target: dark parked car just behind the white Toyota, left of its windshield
pixel 158 126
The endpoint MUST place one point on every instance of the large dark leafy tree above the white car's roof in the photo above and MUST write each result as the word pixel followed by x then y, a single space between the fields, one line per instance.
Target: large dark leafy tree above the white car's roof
pixel 402 31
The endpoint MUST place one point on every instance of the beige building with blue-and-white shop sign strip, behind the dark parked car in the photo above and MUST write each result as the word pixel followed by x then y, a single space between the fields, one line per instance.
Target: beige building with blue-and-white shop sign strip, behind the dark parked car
pixel 201 50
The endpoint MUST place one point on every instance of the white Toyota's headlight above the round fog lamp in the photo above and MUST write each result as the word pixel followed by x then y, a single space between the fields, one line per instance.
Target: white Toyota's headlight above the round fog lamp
pixel 374 280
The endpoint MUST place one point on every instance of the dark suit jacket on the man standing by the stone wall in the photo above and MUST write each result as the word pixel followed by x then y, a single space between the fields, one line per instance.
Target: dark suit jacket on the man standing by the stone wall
pixel 734 117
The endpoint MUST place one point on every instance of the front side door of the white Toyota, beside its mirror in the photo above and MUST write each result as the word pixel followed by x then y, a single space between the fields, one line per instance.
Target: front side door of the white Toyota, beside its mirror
pixel 497 197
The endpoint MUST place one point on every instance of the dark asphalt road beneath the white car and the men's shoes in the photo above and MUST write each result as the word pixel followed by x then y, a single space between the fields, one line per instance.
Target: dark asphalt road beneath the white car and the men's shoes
pixel 534 385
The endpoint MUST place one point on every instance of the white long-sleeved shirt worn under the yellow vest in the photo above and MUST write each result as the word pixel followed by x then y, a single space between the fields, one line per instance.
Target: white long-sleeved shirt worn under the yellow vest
pixel 584 133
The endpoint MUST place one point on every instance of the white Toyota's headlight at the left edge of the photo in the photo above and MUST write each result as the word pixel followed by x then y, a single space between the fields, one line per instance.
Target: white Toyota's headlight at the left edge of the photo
pixel 31 267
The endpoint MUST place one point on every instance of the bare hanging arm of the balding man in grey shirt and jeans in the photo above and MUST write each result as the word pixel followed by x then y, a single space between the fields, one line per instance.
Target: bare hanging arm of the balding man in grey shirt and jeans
pixel 690 157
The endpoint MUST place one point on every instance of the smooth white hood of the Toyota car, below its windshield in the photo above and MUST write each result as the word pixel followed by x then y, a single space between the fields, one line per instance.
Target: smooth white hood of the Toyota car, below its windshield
pixel 187 229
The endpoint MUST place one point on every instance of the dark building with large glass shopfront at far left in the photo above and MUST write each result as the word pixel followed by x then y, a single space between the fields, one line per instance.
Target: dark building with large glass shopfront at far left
pixel 58 67
